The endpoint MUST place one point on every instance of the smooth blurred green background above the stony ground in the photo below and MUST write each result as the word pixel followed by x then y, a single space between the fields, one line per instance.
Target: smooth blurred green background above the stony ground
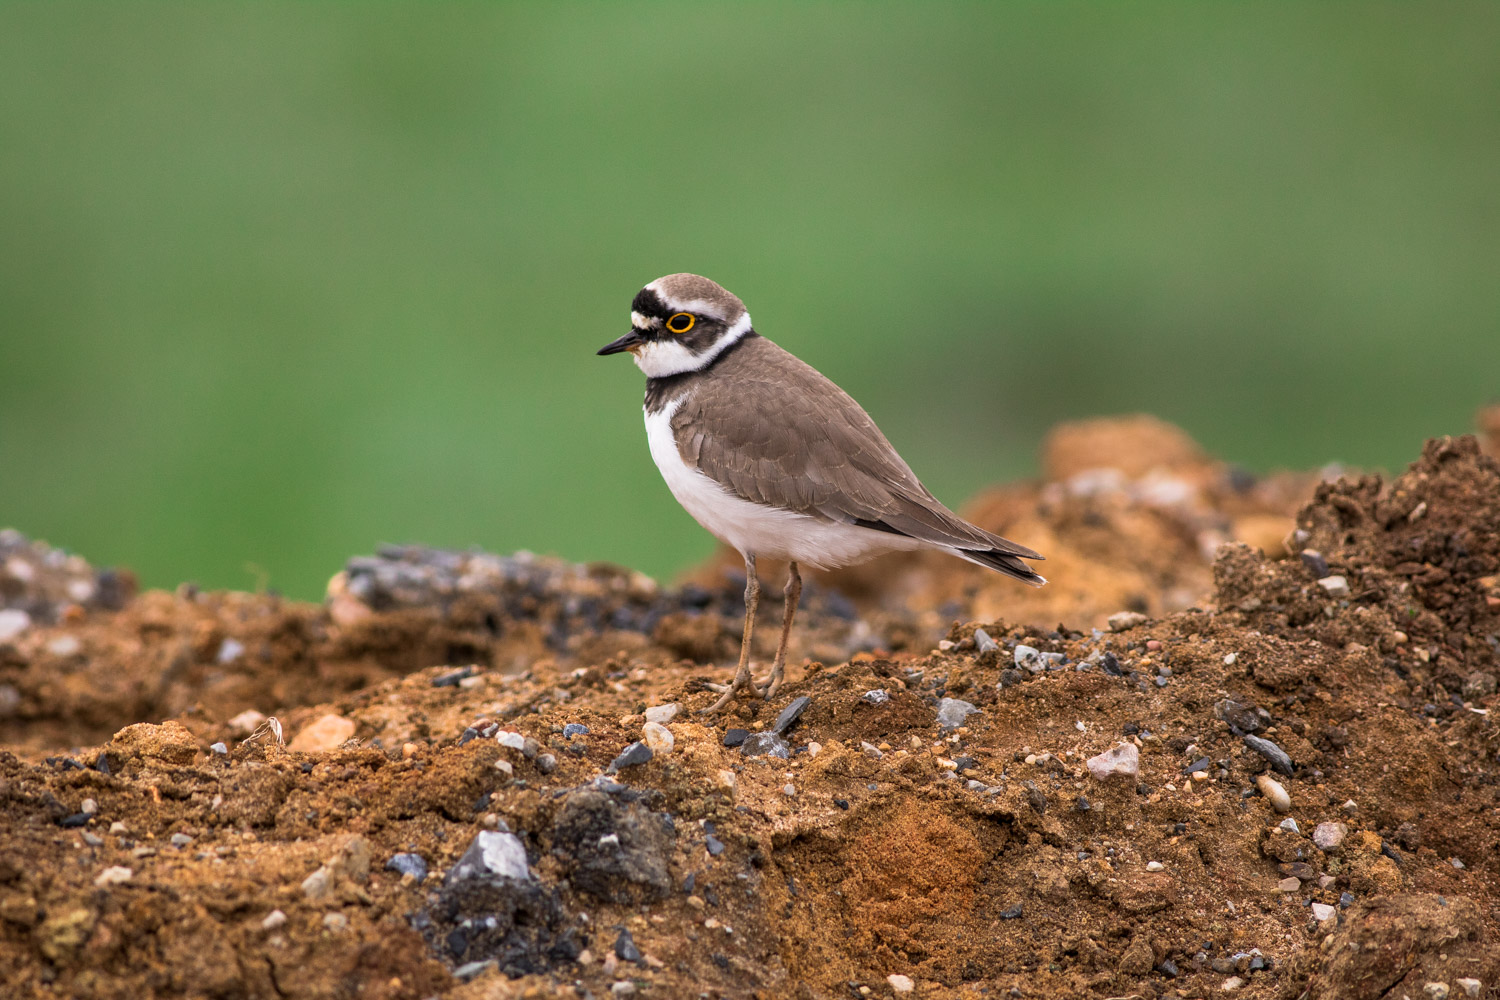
pixel 280 283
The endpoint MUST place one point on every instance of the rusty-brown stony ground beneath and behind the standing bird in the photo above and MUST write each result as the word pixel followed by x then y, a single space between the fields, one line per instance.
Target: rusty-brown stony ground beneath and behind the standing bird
pixel 1244 743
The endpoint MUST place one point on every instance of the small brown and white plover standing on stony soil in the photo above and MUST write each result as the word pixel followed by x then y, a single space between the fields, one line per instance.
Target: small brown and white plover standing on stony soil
pixel 775 460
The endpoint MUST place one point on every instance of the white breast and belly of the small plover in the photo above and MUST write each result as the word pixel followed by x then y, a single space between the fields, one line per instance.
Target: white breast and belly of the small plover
pixel 758 530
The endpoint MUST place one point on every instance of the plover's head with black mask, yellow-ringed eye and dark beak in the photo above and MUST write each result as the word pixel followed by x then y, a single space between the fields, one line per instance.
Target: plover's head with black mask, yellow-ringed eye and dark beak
pixel 682 323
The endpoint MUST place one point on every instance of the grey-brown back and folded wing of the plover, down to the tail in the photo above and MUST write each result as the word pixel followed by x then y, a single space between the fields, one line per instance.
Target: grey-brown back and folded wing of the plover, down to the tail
pixel 788 437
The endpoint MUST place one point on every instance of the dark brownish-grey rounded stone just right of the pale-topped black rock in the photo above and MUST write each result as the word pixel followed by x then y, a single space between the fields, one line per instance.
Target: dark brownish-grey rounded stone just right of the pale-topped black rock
pixel 614 851
